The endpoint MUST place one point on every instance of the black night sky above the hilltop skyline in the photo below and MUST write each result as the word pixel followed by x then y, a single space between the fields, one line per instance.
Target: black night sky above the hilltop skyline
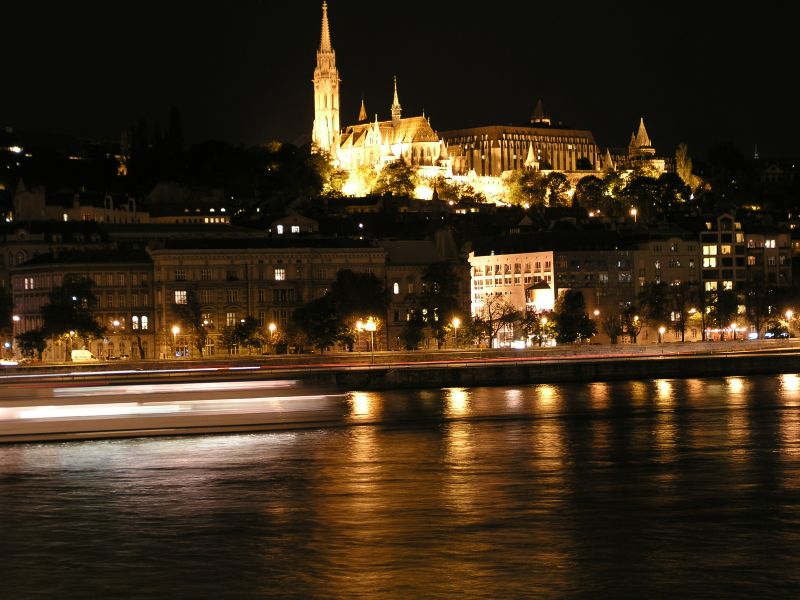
pixel 241 71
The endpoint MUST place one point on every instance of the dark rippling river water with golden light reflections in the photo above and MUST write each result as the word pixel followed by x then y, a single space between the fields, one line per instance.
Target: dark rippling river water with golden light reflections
pixel 669 488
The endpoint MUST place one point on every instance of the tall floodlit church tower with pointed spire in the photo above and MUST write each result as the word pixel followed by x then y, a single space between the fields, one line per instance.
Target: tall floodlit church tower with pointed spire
pixel 326 92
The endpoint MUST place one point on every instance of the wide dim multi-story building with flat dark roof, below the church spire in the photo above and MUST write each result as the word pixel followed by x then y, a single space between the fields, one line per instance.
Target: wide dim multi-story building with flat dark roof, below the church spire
pixel 266 279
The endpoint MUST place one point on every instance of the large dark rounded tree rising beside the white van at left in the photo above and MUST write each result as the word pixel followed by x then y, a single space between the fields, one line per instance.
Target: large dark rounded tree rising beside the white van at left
pixel 69 312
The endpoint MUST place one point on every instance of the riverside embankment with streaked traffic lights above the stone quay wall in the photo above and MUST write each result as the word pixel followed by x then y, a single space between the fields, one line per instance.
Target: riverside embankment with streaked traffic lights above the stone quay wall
pixel 451 367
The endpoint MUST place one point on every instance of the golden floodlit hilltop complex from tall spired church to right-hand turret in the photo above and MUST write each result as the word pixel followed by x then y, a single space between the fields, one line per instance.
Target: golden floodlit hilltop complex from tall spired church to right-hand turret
pixel 480 156
